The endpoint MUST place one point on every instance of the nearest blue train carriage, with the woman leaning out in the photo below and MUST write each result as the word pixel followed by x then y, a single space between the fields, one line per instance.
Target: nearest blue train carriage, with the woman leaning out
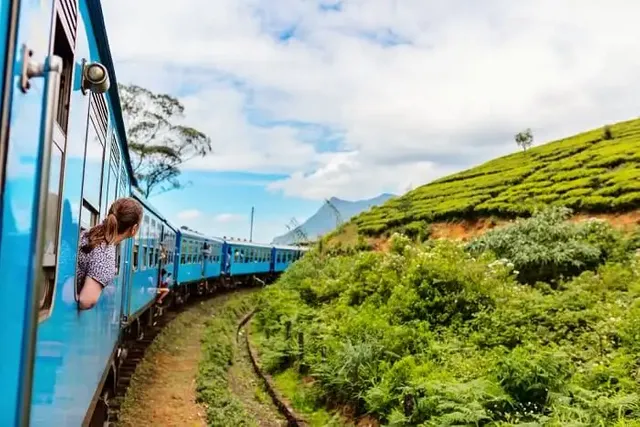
pixel 64 159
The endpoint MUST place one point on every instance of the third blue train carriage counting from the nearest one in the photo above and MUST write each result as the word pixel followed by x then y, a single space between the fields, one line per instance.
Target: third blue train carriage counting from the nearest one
pixel 198 264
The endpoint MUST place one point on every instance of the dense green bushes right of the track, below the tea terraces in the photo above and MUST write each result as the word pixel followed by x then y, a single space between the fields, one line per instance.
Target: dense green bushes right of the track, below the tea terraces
pixel 440 333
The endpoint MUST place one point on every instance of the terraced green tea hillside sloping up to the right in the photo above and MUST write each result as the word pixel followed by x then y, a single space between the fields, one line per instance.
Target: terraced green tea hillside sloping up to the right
pixel 596 171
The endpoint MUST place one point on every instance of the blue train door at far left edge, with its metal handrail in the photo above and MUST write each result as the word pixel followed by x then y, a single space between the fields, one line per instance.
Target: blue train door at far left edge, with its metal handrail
pixel 29 93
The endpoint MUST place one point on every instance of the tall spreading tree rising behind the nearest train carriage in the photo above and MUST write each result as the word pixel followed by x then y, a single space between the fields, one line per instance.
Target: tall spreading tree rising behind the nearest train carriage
pixel 158 143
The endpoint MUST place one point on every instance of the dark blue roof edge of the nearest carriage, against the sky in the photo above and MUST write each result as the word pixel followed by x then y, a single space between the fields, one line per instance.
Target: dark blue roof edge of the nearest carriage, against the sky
pixel 100 32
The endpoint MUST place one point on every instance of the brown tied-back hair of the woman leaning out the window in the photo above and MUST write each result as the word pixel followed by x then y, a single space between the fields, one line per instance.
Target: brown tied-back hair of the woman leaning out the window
pixel 123 214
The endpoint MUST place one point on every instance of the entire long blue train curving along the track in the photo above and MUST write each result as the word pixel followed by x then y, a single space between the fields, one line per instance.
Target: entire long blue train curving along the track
pixel 64 159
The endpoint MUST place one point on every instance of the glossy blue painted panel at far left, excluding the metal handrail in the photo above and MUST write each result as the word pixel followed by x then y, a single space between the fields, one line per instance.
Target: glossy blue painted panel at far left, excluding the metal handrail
pixel 19 200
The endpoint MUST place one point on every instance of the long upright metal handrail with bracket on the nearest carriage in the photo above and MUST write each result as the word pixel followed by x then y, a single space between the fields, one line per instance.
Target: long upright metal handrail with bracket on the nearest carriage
pixel 51 69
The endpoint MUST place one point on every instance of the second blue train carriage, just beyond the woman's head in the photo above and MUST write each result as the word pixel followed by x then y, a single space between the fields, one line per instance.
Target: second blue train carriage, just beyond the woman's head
pixel 152 252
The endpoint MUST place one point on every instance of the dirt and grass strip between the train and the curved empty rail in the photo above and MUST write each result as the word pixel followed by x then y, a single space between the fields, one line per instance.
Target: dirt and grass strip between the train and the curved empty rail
pixel 182 380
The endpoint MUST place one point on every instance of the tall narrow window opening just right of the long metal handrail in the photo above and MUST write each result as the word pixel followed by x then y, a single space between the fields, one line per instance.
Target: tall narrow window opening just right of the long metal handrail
pixel 62 44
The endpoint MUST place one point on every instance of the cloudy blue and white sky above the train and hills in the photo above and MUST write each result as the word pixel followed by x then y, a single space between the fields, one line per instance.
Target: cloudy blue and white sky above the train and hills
pixel 308 99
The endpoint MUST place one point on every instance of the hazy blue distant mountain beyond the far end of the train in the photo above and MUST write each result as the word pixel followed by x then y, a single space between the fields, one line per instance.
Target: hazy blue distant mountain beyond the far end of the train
pixel 324 220
